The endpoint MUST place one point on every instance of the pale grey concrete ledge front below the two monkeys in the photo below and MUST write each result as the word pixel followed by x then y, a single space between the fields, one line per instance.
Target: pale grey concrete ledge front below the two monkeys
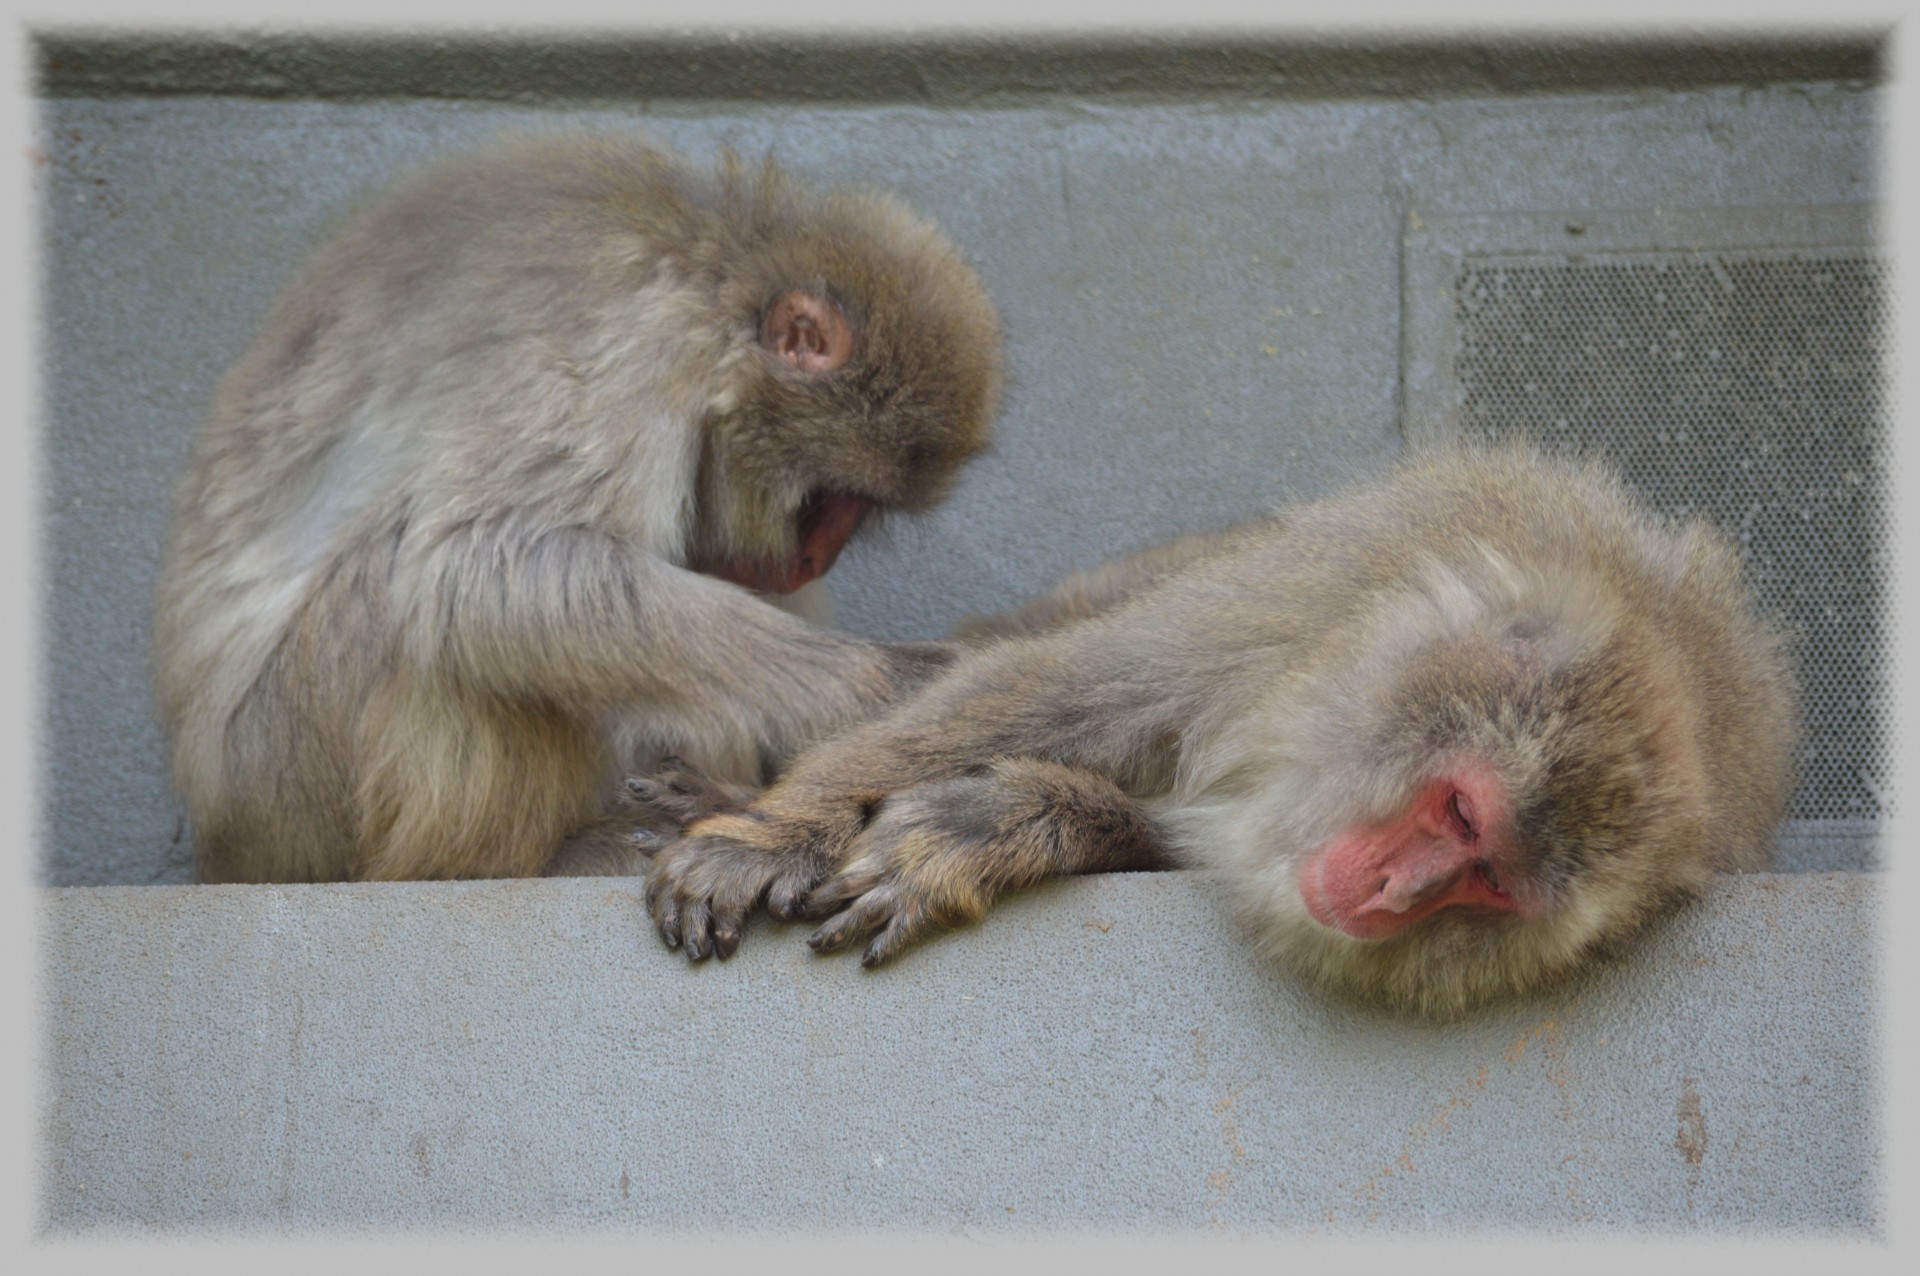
pixel 1099 1054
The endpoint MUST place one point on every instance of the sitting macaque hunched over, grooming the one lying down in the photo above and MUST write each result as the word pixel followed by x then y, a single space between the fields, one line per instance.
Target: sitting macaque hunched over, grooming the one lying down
pixel 496 506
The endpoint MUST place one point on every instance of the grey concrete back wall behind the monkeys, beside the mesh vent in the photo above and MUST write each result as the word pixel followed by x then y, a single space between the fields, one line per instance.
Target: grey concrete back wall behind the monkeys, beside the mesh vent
pixel 1201 298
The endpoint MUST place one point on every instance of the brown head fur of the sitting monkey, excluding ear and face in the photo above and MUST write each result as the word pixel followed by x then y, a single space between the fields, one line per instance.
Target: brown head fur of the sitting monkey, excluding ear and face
pixel 909 408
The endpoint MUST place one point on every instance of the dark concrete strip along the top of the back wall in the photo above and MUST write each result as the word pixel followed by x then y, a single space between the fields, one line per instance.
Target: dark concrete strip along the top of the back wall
pixel 942 70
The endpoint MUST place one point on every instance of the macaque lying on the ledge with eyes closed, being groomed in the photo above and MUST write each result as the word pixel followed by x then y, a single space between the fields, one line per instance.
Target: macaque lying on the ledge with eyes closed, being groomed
pixel 1447 738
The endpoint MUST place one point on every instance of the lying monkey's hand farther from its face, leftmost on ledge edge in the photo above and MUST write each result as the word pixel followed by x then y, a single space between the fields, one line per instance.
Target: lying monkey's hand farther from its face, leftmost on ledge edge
pixel 706 884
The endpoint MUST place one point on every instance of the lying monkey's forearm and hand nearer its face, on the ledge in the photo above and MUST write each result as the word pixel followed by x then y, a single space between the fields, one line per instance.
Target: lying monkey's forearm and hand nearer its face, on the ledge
pixel 938 855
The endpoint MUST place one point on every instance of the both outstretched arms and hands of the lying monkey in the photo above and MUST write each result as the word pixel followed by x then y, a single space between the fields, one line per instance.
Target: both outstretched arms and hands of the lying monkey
pixel 1005 772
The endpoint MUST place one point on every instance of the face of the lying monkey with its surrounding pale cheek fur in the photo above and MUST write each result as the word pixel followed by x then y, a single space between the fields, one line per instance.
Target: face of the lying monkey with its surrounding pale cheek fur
pixel 1479 826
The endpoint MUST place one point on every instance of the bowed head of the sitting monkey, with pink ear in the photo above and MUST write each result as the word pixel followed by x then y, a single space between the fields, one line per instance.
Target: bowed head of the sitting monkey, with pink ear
pixel 867 373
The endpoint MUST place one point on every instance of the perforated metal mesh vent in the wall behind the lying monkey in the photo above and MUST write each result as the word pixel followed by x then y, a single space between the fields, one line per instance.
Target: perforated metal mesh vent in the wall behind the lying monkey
pixel 1744 387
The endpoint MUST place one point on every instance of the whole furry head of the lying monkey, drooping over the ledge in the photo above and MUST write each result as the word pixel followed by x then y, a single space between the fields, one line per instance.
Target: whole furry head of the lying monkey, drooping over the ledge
pixel 1510 774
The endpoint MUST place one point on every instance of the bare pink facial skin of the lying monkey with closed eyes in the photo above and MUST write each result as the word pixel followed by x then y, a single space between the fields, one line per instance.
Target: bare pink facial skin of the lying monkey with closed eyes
pixel 1451 849
